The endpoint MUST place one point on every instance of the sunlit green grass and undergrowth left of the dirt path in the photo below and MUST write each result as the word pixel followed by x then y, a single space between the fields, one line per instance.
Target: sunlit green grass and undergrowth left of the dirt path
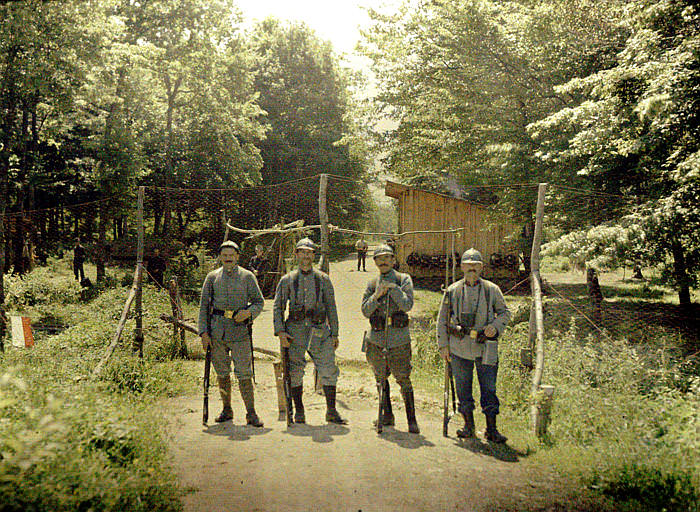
pixel 69 442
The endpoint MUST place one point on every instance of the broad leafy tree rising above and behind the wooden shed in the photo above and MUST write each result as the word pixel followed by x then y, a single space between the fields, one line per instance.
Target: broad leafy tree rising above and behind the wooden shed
pixel 465 78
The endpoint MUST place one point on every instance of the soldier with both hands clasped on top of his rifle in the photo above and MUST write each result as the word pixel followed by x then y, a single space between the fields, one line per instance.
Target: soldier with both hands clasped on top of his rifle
pixel 386 302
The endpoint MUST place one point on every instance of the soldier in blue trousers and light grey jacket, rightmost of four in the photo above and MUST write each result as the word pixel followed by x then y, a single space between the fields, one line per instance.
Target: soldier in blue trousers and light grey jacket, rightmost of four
pixel 472 316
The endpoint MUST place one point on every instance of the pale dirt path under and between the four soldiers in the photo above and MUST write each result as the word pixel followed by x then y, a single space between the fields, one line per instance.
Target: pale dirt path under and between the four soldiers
pixel 322 467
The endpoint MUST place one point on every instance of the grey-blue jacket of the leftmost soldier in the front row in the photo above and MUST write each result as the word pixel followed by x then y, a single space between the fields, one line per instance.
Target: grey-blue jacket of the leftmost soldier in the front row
pixel 230 291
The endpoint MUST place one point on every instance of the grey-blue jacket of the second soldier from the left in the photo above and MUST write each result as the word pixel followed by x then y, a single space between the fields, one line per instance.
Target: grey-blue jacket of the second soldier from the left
pixel 305 294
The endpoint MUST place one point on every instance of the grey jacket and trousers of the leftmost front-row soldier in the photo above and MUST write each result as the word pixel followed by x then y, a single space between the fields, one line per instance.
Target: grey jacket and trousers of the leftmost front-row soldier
pixel 229 291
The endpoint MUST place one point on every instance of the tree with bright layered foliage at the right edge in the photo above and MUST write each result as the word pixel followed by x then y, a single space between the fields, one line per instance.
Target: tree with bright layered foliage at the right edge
pixel 637 134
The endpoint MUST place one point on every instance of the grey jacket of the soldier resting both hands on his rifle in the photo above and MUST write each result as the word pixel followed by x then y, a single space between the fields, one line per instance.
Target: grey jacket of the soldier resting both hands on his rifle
pixel 400 299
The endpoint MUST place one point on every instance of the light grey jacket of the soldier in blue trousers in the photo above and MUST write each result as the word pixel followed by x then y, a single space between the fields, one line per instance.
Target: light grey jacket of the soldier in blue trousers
pixel 491 309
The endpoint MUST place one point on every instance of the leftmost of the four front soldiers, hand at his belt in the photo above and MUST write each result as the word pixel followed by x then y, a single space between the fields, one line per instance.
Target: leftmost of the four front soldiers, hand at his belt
pixel 230 300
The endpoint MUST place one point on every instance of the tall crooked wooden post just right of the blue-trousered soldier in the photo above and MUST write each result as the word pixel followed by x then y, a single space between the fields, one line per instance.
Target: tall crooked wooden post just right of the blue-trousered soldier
pixel 541 398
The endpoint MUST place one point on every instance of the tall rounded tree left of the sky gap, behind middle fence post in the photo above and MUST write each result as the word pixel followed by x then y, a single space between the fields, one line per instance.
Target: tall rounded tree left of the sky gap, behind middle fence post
pixel 306 96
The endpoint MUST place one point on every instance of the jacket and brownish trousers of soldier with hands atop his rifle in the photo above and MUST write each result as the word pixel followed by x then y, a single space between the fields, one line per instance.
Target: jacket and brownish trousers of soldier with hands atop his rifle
pixel 397 340
